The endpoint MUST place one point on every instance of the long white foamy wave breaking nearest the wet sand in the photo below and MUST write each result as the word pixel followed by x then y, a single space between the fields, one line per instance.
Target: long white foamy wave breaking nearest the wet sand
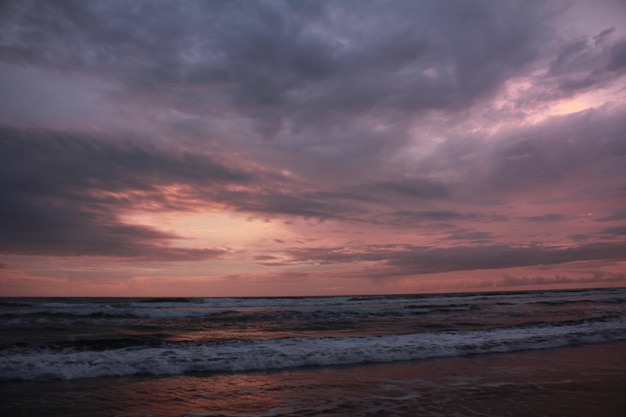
pixel 242 356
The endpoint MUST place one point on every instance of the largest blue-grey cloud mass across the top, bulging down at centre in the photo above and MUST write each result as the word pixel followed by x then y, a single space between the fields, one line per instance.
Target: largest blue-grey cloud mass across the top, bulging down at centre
pixel 318 77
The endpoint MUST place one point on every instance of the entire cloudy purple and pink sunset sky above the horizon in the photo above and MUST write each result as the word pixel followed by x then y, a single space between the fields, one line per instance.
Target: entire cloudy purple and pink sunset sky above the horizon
pixel 284 148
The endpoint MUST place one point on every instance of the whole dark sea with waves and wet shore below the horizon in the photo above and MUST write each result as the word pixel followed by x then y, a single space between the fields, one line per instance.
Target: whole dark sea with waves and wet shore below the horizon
pixel 540 353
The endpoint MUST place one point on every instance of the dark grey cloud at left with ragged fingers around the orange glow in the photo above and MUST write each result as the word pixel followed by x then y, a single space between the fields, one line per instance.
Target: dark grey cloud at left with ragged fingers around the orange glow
pixel 62 194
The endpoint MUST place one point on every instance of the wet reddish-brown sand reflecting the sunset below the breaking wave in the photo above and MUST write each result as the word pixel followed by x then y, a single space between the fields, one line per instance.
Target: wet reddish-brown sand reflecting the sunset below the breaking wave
pixel 587 380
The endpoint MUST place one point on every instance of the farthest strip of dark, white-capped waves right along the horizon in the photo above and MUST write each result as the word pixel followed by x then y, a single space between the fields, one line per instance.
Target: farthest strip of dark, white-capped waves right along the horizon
pixel 189 307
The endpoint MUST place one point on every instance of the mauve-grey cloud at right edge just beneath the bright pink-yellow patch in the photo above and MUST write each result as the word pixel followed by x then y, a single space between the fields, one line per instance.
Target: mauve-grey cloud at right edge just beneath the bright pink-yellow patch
pixel 565 150
